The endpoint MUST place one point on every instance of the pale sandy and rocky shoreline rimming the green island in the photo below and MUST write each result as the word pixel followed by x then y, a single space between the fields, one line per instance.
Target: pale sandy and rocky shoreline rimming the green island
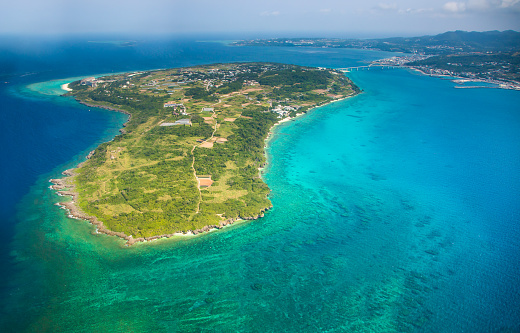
pixel 65 187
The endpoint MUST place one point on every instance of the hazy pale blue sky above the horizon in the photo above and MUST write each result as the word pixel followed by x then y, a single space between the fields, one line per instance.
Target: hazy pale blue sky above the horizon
pixel 270 18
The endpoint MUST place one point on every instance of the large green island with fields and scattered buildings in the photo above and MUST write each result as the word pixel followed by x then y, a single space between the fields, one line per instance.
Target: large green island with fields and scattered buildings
pixel 189 158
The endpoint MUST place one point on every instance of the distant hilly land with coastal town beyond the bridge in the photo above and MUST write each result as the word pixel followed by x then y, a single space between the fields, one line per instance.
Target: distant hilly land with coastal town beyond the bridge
pixel 490 56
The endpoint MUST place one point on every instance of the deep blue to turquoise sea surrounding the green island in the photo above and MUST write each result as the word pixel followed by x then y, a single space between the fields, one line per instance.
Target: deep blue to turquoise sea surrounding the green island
pixel 397 210
